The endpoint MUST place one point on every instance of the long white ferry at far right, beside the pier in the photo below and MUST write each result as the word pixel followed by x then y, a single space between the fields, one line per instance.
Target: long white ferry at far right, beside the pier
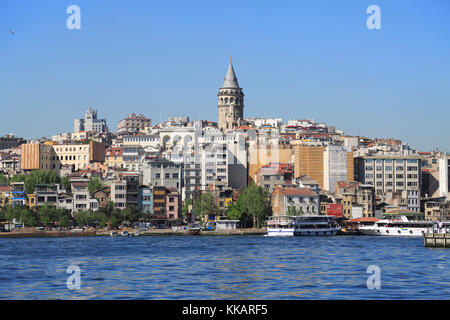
pixel 400 226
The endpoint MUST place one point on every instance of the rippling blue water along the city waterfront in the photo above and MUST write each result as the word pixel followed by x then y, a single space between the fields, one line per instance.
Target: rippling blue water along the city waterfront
pixel 241 267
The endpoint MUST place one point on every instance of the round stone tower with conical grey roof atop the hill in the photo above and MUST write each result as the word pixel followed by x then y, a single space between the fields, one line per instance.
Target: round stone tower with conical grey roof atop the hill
pixel 230 100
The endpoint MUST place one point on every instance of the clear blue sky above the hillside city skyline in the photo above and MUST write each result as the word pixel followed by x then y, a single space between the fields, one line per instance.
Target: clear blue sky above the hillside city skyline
pixel 294 60
